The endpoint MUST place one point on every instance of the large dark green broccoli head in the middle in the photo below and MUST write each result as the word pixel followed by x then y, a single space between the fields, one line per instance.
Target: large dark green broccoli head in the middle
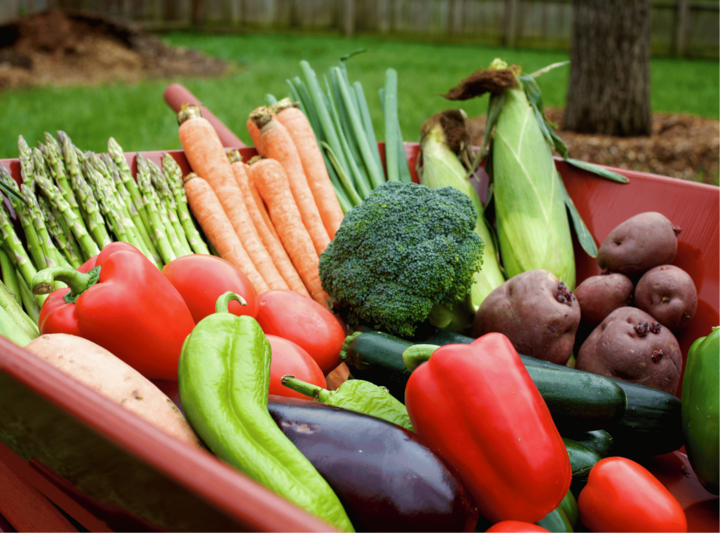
pixel 405 249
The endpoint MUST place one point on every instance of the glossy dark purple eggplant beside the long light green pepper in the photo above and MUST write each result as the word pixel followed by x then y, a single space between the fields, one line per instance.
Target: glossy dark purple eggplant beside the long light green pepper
pixel 385 477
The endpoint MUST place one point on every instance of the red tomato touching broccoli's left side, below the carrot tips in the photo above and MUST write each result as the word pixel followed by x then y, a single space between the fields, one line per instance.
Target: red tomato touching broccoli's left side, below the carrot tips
pixel 305 322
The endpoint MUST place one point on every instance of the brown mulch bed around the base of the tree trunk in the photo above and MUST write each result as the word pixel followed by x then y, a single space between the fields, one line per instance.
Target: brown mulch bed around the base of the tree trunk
pixel 681 146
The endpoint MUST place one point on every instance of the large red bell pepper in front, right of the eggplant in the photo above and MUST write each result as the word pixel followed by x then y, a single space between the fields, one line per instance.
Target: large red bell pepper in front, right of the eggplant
pixel 477 405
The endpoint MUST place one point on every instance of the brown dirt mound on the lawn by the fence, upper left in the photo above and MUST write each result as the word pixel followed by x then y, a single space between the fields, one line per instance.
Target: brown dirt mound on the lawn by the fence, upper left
pixel 67 48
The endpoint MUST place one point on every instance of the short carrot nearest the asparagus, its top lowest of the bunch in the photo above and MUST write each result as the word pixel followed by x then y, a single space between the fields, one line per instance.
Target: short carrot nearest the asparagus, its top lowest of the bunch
pixel 219 231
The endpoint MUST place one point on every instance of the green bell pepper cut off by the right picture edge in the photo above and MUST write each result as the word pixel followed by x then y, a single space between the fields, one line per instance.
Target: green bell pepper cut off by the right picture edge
pixel 700 418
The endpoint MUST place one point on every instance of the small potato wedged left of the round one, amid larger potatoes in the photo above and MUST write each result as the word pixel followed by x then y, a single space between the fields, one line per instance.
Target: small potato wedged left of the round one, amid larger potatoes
pixel 599 296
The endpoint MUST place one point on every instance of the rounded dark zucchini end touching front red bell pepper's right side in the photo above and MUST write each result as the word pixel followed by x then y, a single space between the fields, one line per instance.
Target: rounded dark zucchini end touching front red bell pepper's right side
pixel 580 401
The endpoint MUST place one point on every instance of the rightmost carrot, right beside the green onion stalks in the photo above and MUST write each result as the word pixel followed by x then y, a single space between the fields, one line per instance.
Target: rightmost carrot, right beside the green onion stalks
pixel 313 164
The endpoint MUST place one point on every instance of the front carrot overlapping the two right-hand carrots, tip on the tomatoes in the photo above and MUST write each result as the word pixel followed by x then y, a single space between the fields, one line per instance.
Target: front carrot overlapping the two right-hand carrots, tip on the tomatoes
pixel 273 184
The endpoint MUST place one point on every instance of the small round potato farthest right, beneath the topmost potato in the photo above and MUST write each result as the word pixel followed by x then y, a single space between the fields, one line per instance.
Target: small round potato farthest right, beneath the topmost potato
pixel 668 294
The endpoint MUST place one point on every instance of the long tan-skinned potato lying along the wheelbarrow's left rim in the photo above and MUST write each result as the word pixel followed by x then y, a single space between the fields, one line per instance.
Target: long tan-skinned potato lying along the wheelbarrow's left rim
pixel 104 372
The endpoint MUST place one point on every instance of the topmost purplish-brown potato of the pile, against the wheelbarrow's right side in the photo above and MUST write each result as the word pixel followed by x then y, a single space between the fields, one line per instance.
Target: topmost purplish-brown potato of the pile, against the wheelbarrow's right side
pixel 639 244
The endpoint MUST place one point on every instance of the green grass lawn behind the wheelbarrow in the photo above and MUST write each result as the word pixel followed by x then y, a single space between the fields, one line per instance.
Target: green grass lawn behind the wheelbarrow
pixel 139 119
